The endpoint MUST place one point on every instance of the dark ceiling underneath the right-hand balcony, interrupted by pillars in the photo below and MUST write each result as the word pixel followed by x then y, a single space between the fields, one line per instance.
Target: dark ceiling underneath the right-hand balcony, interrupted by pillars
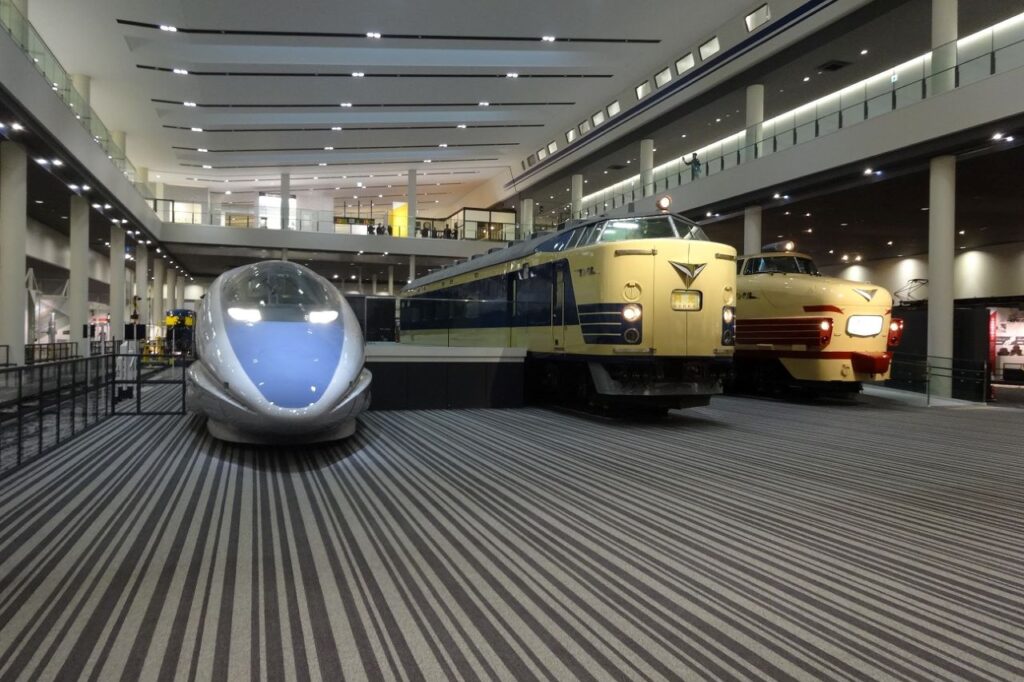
pixel 886 218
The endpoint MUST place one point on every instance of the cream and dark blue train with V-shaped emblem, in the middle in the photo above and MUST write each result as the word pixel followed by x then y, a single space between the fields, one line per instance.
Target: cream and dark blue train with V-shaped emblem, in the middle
pixel 629 311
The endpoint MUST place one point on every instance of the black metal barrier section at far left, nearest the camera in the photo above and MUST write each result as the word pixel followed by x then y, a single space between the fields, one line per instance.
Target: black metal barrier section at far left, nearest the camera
pixel 45 406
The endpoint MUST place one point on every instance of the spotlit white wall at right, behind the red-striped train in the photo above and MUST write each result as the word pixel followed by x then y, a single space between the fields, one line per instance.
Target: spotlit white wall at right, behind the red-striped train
pixel 985 273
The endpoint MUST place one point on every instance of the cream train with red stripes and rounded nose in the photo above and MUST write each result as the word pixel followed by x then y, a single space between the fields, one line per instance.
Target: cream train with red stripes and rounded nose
pixel 797 328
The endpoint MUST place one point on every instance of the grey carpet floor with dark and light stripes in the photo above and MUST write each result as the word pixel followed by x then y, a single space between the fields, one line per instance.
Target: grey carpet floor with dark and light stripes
pixel 749 540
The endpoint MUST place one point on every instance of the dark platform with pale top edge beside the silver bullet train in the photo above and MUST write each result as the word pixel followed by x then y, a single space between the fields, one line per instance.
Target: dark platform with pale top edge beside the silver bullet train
pixel 413 377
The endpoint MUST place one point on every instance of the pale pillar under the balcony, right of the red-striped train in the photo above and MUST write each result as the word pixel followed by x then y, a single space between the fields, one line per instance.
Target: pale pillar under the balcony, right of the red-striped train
pixel 942 236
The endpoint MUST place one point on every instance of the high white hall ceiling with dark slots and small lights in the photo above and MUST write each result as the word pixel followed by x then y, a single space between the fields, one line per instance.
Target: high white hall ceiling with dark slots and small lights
pixel 123 95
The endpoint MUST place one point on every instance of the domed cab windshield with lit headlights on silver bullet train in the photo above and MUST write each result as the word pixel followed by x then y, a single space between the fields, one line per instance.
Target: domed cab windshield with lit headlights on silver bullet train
pixel 279 292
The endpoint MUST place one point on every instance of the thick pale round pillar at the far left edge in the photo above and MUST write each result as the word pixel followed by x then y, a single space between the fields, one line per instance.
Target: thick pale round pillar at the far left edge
pixel 14 231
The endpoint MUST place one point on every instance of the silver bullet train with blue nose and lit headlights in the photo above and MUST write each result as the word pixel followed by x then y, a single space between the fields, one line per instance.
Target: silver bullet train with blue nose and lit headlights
pixel 280 358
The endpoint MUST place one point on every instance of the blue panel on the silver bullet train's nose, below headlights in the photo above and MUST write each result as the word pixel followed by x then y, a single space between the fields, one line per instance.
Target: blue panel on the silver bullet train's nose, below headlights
pixel 291 363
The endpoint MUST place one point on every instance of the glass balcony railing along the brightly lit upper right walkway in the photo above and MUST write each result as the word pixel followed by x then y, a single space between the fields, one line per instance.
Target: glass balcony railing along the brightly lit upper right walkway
pixel 982 56
